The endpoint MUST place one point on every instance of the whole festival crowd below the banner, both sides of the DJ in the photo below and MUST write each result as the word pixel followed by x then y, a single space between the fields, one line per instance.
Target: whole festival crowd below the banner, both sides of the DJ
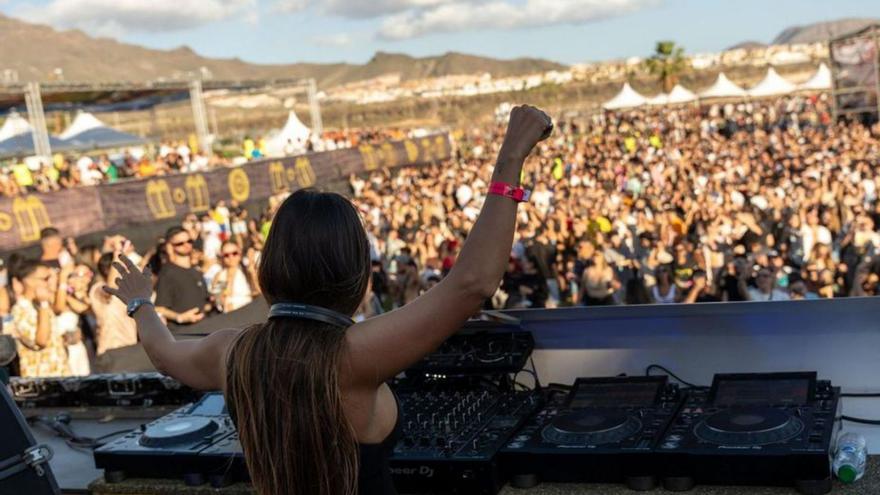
pixel 734 202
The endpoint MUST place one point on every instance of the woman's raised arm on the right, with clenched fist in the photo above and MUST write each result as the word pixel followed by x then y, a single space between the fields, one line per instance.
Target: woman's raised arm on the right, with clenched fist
pixel 381 347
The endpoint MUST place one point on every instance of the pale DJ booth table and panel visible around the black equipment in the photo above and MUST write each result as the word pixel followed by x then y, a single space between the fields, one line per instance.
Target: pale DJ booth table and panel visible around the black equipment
pixel 839 339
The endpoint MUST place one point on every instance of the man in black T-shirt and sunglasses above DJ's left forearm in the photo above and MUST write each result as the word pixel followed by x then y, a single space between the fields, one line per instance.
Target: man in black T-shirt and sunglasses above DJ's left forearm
pixel 181 293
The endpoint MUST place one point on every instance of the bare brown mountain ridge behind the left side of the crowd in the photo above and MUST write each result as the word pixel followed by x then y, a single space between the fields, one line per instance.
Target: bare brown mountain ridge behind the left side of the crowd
pixel 35 51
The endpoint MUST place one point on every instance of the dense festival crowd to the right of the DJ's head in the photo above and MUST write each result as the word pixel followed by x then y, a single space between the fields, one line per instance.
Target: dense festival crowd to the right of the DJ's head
pixel 734 202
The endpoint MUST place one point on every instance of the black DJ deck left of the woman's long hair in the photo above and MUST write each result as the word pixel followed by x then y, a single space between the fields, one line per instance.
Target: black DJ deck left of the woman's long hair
pixel 198 440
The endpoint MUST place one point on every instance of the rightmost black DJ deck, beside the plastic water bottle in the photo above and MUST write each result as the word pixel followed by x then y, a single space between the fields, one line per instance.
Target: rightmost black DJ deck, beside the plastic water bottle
pixel 754 429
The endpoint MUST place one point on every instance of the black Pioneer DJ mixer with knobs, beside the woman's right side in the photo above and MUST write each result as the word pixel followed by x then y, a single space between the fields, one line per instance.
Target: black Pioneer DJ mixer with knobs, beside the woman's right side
pixel 451 435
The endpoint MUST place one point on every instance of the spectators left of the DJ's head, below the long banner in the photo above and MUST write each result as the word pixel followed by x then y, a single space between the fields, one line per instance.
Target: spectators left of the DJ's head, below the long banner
pixel 64 323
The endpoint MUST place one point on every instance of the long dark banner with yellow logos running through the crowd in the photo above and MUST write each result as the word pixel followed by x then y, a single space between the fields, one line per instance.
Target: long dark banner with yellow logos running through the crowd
pixel 85 210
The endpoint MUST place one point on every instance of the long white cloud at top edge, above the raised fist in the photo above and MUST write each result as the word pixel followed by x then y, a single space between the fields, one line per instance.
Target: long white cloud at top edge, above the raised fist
pixel 465 15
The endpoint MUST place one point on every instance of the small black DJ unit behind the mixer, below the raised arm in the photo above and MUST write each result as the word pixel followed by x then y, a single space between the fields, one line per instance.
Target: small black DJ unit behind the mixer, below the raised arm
pixel 479 349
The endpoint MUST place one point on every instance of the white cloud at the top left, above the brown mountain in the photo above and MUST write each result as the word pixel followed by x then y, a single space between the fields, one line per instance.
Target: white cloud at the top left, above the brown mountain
pixel 117 17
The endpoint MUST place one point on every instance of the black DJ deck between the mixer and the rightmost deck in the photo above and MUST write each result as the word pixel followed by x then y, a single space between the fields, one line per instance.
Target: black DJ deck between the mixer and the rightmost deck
pixel 603 430
